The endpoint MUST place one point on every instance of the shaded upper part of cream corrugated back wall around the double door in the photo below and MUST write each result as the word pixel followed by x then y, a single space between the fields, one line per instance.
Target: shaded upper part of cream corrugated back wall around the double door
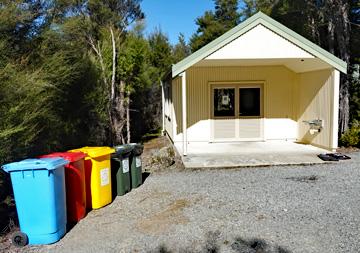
pixel 278 88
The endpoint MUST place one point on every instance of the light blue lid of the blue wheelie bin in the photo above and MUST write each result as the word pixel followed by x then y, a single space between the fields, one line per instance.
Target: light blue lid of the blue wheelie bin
pixel 35 164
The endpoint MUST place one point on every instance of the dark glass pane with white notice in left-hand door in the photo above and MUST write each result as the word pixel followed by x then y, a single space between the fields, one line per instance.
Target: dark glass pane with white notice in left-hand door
pixel 224 102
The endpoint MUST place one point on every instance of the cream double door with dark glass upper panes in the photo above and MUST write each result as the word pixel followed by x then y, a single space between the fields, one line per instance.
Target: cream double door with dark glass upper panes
pixel 237 112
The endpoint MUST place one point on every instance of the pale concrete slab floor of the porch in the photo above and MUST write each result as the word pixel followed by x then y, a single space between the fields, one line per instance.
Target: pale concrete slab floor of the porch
pixel 249 154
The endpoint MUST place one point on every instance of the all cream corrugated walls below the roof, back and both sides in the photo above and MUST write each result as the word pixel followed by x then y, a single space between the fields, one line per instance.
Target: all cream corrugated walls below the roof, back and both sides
pixel 289 98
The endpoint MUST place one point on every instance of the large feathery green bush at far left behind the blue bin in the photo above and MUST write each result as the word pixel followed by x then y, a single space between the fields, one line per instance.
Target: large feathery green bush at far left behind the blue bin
pixel 47 86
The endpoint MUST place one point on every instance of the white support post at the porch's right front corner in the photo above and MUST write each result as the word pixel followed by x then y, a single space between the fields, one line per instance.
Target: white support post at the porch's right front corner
pixel 335 109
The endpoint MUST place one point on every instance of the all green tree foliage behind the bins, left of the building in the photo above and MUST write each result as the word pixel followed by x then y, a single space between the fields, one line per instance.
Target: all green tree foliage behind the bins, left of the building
pixel 52 94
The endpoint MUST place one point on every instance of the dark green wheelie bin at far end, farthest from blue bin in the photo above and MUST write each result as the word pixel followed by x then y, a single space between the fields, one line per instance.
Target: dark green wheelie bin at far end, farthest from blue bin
pixel 136 164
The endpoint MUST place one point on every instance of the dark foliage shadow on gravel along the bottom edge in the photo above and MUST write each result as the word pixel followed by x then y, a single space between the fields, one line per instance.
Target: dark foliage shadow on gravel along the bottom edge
pixel 239 245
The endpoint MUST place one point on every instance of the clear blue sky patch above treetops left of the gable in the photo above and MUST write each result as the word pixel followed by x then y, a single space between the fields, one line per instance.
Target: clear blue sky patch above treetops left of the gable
pixel 174 16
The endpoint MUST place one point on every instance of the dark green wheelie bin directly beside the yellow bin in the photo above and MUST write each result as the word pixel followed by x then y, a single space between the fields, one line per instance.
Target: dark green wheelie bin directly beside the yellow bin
pixel 120 168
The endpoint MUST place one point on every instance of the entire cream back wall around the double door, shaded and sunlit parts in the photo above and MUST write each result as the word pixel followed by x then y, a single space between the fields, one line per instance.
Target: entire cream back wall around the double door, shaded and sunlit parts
pixel 278 97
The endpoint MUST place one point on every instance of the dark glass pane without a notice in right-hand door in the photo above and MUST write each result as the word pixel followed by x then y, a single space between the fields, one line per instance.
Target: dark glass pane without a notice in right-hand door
pixel 249 102
